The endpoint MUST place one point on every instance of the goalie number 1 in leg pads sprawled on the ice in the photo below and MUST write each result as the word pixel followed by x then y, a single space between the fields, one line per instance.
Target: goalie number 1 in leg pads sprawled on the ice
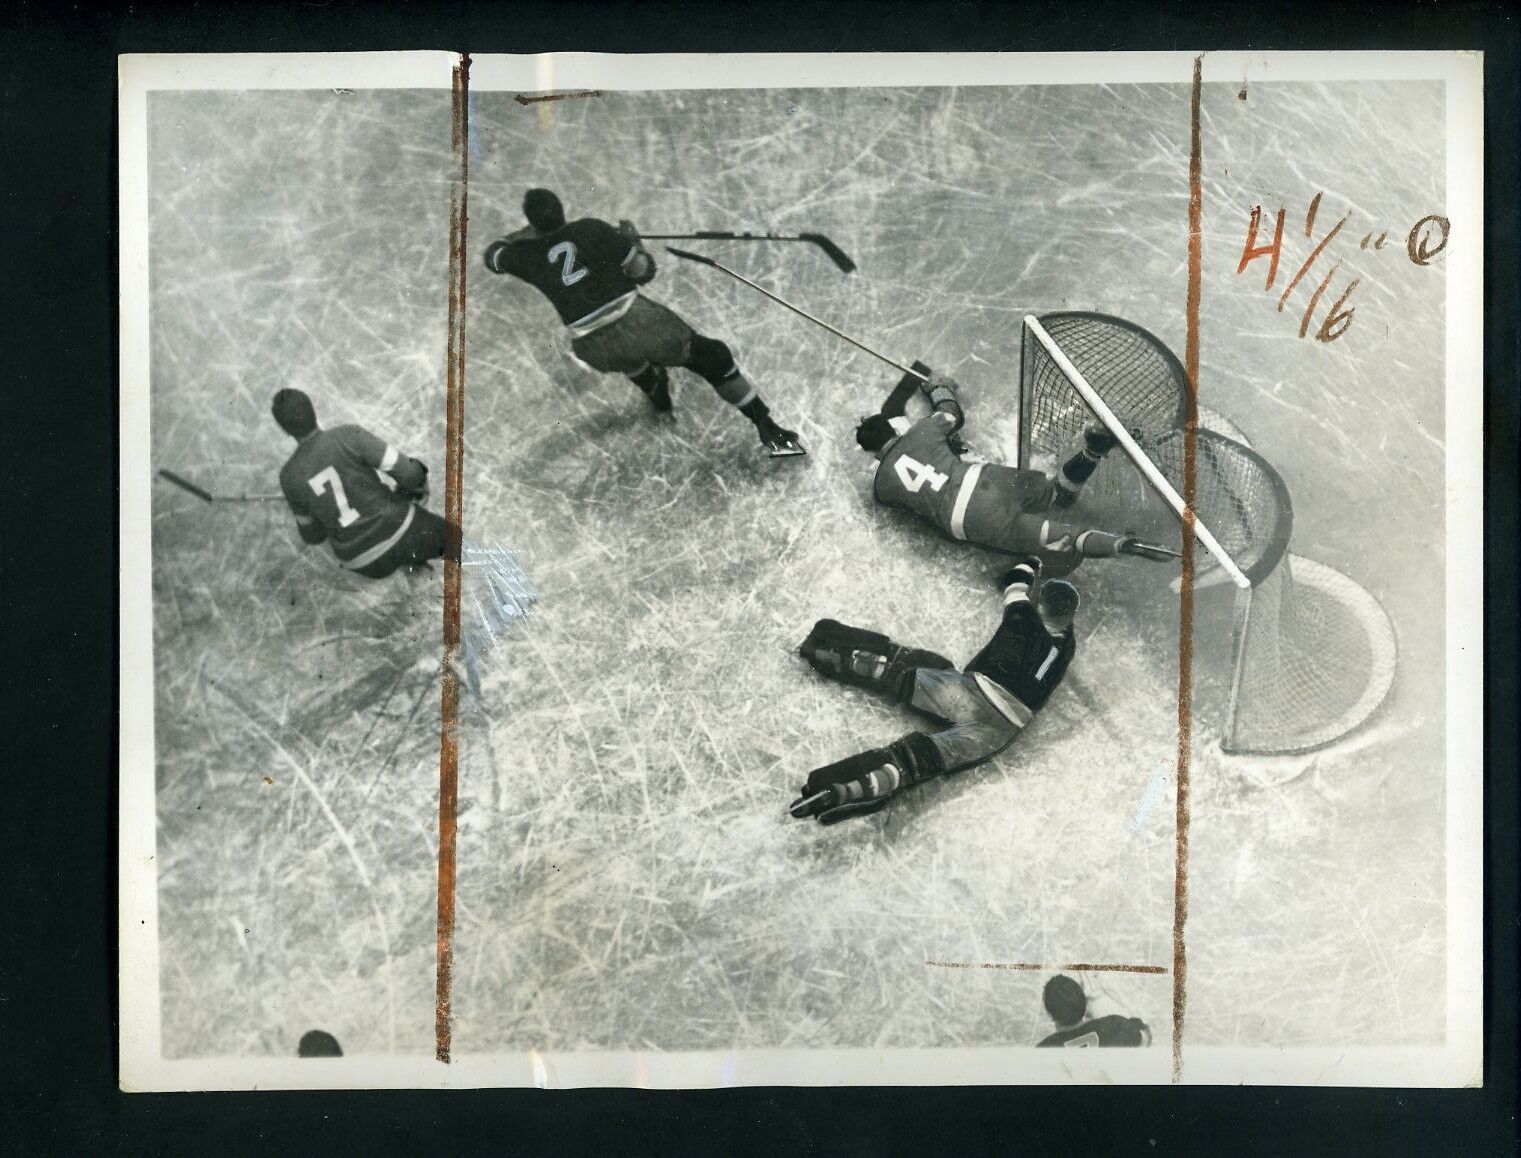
pixel 982 708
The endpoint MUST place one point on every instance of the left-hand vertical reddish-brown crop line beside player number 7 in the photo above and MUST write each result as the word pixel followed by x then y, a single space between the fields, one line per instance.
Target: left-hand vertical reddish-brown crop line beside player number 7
pixel 454 511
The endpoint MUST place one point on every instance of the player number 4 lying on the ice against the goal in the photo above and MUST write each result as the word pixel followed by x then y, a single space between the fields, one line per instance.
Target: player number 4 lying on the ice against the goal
pixel 1000 507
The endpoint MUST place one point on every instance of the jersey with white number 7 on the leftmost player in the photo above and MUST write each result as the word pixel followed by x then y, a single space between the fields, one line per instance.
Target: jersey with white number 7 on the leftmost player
pixel 348 486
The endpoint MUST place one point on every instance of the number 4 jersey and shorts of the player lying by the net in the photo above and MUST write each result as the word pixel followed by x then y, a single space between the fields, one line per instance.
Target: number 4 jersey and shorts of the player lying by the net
pixel 980 503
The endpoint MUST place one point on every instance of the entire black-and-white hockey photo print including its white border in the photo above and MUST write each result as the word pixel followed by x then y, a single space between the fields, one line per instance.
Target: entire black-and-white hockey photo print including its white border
pixel 805 570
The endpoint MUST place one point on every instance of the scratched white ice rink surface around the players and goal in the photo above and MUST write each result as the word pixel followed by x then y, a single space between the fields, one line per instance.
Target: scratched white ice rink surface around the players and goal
pixel 629 877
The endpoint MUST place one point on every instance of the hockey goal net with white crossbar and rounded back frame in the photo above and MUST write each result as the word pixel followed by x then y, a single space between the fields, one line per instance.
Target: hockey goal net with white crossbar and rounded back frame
pixel 1312 655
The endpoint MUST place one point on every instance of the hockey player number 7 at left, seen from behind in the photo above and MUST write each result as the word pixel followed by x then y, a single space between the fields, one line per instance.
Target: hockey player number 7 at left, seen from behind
pixel 358 492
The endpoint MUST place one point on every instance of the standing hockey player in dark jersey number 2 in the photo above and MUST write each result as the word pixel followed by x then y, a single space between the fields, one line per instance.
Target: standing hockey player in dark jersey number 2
pixel 592 275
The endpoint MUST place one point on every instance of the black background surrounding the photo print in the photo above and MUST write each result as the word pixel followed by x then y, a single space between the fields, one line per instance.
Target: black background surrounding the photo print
pixel 59 549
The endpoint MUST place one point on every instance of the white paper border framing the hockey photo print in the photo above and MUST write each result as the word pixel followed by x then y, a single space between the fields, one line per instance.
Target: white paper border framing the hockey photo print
pixel 1459 1063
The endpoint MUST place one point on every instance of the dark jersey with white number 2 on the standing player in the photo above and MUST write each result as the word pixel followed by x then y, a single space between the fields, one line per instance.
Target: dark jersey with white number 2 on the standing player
pixel 580 267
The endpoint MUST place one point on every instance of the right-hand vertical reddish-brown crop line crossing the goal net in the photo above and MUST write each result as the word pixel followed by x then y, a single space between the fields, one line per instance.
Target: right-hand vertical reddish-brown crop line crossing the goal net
pixel 1186 608
